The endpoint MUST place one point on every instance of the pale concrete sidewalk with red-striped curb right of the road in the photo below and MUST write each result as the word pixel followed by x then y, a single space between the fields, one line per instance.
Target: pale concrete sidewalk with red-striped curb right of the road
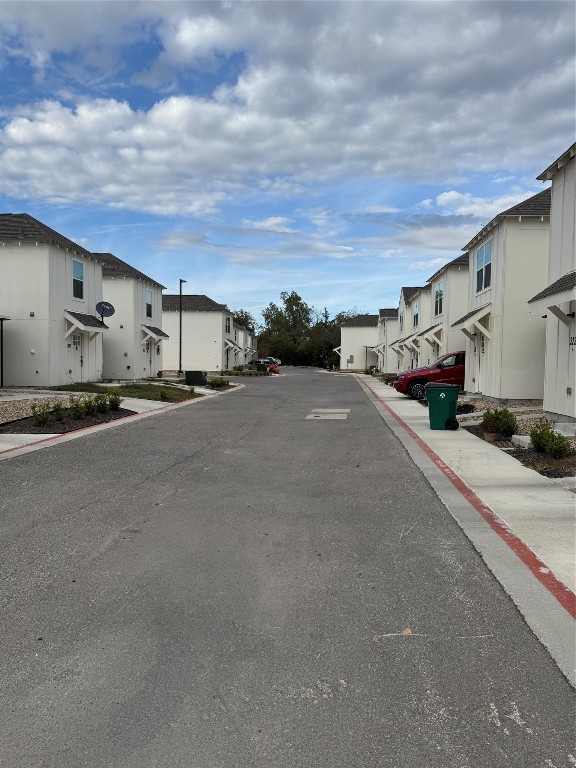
pixel 522 524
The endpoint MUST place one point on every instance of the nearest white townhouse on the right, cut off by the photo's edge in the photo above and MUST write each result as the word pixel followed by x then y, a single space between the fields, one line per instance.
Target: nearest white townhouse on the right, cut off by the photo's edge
pixel 557 301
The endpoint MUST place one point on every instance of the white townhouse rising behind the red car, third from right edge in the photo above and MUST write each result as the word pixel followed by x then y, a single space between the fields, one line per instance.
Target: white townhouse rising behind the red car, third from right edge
pixel 448 301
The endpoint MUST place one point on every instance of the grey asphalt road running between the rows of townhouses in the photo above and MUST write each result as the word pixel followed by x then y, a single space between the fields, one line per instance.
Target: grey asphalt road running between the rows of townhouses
pixel 232 584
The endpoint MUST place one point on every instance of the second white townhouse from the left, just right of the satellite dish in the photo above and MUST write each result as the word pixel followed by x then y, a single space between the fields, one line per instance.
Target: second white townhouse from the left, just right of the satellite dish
pixel 132 346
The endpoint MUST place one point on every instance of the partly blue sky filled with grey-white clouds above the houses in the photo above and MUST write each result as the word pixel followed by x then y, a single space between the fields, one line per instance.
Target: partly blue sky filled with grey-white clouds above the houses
pixel 338 149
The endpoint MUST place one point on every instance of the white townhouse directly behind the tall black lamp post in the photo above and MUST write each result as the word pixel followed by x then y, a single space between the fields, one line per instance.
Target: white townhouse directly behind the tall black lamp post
pixel 207 340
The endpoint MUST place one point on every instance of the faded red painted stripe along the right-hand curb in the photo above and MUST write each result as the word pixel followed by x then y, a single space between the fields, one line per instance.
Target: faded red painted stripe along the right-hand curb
pixel 560 591
